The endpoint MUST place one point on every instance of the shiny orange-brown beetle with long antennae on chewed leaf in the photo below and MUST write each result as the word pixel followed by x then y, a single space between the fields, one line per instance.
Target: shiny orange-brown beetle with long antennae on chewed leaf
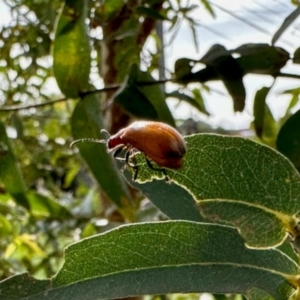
pixel 158 141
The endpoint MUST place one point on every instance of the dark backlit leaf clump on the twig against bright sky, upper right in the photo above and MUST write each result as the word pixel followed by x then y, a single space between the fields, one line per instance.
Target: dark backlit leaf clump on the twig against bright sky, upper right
pixel 221 65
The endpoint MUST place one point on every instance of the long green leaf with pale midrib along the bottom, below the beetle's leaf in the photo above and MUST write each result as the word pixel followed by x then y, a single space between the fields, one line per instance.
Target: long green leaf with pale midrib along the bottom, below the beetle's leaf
pixel 160 258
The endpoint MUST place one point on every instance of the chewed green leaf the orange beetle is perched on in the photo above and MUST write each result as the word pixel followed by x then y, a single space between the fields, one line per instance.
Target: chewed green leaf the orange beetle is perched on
pixel 232 174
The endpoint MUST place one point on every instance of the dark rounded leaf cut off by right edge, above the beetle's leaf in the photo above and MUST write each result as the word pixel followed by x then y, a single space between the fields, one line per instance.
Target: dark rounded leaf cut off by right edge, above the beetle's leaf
pixel 288 140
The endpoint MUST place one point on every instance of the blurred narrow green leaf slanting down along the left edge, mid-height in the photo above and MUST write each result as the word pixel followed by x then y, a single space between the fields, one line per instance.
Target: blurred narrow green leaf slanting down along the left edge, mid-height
pixel 10 172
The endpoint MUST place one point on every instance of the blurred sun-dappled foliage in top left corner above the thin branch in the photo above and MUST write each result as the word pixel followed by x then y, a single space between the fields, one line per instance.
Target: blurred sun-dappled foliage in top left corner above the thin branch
pixel 25 45
